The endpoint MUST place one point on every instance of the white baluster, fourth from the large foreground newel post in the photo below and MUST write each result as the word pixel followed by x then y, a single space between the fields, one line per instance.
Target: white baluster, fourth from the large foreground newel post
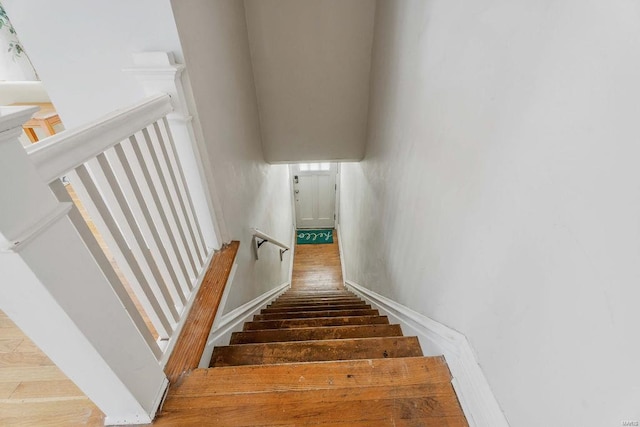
pixel 149 221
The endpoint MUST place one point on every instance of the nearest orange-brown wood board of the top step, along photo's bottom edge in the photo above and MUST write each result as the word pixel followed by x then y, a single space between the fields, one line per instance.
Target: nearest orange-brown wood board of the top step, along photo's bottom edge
pixel 425 401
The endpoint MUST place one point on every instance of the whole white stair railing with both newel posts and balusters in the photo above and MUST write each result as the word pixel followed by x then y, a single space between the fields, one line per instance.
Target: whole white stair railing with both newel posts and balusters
pixel 100 271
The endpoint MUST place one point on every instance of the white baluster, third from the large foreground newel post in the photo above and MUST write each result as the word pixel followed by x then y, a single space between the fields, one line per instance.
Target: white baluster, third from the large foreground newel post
pixel 128 215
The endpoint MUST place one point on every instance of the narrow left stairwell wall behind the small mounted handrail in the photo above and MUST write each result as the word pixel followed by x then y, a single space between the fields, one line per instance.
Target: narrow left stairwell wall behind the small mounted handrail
pixel 251 192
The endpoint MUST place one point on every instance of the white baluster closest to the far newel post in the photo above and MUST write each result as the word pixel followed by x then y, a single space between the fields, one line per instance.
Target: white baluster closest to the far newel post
pixel 171 159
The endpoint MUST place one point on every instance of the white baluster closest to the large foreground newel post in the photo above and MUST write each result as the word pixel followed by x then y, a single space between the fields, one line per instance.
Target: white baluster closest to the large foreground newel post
pixel 80 224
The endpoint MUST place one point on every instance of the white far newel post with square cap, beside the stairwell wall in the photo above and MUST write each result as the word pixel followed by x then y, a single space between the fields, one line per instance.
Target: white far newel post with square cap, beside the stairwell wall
pixel 158 73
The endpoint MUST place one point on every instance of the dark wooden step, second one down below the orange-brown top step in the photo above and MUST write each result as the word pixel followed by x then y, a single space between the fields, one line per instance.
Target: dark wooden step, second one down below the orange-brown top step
pixel 315 333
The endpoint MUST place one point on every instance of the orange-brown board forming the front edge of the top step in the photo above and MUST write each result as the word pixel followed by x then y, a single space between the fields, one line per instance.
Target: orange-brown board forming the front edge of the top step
pixel 314 375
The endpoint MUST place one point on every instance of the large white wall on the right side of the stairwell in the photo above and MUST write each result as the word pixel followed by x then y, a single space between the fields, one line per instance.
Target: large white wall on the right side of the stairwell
pixel 500 194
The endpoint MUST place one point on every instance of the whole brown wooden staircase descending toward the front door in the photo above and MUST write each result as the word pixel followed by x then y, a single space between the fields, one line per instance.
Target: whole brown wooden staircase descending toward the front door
pixel 317 356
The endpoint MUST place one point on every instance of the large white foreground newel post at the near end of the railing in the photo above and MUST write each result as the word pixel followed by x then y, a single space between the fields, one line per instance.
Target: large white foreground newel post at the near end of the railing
pixel 53 289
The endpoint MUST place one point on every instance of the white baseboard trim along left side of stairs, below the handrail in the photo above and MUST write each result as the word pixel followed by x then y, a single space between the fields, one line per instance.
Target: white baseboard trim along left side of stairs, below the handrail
pixel 233 321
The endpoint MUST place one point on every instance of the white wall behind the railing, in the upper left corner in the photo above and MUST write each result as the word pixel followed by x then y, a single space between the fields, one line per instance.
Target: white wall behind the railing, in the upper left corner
pixel 79 49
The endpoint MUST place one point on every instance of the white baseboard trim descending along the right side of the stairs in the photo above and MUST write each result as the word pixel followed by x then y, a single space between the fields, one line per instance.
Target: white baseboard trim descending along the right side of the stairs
pixel 475 395
